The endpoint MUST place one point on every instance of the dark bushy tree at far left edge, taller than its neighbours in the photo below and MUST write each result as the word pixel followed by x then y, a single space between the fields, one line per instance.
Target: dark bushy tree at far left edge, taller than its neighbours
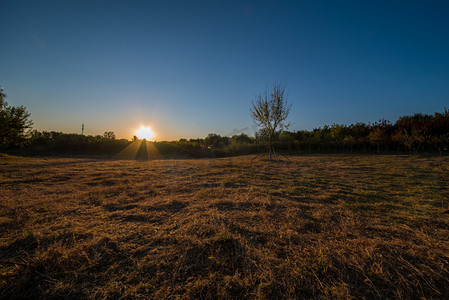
pixel 14 121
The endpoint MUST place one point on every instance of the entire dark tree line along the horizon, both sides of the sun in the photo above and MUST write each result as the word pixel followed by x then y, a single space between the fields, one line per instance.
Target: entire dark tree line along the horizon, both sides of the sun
pixel 409 134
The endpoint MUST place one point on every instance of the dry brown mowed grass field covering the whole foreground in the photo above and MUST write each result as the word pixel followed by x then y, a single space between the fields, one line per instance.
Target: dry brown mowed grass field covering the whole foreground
pixel 329 226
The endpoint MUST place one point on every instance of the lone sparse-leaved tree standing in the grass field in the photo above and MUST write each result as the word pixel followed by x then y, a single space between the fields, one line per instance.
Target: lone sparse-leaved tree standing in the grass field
pixel 270 112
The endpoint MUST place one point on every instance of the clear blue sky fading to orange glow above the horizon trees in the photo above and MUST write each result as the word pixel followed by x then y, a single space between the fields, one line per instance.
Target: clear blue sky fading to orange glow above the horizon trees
pixel 189 68
